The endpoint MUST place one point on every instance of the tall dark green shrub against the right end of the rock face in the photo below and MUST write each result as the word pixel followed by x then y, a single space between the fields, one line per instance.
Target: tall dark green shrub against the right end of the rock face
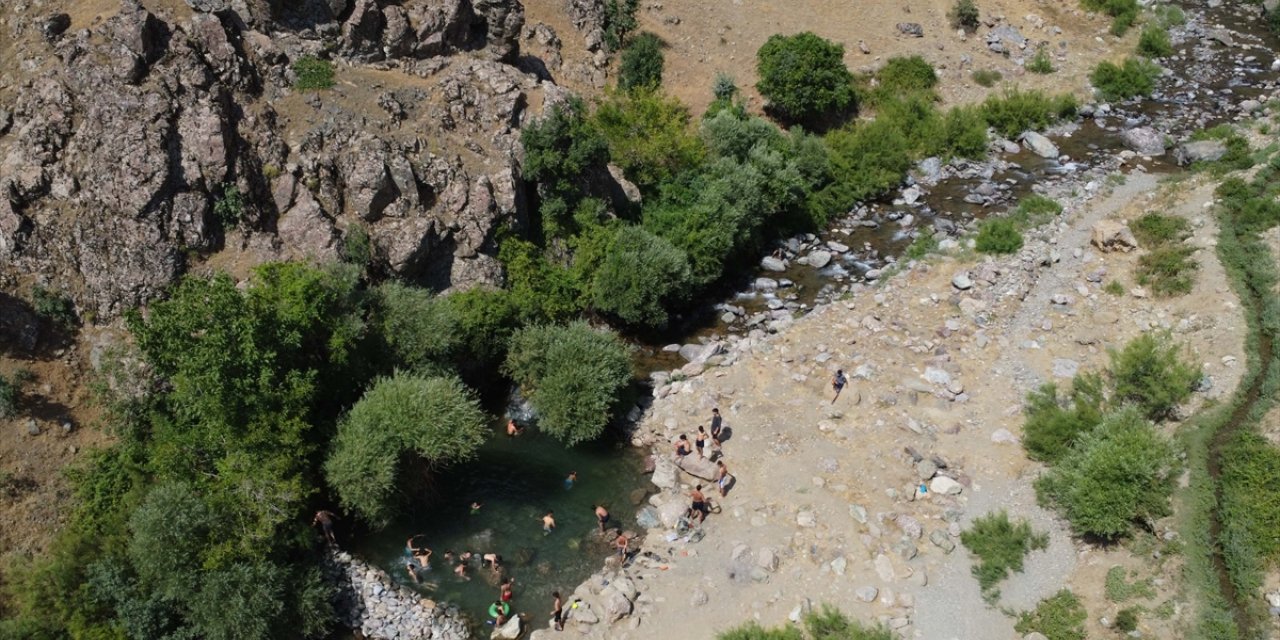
pixel 563 152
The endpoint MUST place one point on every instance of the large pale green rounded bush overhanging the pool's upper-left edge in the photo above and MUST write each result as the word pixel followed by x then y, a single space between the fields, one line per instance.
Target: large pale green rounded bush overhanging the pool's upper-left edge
pixel 436 419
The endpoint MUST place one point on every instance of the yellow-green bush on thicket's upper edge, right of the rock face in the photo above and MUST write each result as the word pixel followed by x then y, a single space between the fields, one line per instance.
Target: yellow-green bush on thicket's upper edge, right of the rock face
pixel 648 136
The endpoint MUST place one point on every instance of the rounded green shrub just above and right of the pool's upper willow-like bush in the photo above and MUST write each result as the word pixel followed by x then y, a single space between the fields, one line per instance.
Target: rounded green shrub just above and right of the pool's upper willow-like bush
pixel 641 277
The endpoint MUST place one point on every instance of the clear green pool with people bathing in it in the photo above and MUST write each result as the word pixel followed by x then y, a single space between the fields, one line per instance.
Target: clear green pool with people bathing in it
pixel 518 481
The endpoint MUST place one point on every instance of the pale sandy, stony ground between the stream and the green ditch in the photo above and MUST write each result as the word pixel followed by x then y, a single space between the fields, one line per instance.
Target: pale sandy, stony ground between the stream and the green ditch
pixel 807 469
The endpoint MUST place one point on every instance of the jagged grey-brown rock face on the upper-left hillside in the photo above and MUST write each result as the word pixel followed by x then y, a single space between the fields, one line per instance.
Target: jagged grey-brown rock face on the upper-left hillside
pixel 115 158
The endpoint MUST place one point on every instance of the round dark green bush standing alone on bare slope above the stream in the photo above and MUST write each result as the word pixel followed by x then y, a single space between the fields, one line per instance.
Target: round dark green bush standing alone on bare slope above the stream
pixel 804 77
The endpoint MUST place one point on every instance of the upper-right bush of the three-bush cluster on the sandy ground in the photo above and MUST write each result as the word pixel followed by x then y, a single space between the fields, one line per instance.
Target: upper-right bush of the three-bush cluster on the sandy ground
pixel 1151 374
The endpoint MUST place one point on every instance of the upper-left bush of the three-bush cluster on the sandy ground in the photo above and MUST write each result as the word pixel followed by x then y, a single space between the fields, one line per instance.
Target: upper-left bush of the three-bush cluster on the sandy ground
pixel 1054 423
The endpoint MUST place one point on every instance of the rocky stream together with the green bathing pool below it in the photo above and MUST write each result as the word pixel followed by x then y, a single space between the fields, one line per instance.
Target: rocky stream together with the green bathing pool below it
pixel 1223 57
